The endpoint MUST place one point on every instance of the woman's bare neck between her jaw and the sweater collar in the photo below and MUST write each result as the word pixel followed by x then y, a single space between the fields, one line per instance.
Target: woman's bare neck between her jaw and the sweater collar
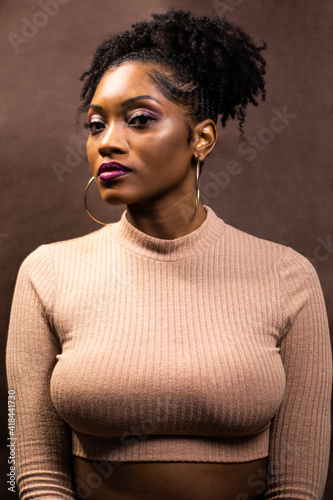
pixel 169 222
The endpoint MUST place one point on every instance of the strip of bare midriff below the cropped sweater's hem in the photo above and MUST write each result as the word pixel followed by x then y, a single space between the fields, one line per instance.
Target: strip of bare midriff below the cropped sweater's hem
pixel 96 480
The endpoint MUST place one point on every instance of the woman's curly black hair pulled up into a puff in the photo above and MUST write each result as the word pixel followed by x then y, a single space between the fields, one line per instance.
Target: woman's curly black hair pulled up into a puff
pixel 207 65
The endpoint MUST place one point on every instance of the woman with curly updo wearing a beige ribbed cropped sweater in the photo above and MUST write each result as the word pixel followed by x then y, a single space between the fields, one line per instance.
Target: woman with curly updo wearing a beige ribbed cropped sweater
pixel 169 355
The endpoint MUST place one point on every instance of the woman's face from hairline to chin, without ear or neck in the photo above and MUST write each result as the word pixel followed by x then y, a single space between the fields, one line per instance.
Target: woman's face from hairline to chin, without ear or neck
pixel 133 124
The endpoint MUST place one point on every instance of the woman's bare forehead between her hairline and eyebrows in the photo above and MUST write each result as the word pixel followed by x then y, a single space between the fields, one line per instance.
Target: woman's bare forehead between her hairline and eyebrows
pixel 127 80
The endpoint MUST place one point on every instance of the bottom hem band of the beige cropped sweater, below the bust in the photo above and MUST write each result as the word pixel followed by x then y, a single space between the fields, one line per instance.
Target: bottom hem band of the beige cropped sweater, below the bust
pixel 173 448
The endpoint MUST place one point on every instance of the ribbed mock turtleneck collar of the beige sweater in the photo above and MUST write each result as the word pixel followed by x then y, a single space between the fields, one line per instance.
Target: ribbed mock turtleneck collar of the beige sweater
pixel 198 241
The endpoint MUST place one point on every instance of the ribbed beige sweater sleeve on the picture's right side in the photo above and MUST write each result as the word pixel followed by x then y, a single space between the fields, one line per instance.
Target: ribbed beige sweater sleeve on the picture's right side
pixel 300 431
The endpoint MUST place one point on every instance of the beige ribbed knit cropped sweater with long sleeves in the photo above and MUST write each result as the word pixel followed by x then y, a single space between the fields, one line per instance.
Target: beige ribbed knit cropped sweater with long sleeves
pixel 211 347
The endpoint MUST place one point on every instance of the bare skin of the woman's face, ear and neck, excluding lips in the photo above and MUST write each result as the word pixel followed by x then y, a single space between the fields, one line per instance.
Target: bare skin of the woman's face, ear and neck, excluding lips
pixel 162 181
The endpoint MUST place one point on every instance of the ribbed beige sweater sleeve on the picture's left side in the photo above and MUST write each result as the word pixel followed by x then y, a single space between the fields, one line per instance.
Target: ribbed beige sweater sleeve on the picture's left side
pixel 43 439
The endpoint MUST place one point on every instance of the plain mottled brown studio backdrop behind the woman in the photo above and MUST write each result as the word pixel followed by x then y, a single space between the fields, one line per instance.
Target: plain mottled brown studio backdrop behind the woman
pixel 278 186
